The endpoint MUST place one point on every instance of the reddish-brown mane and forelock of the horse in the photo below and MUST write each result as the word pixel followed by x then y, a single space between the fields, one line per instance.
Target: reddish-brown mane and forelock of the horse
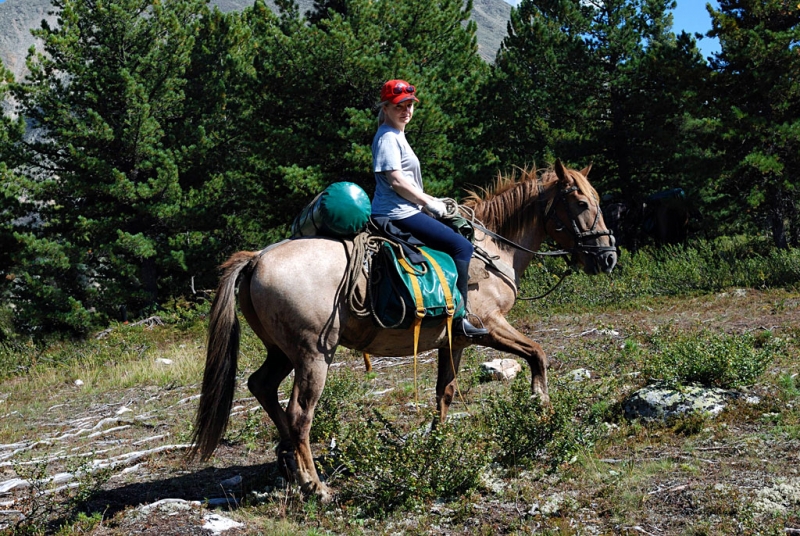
pixel 508 206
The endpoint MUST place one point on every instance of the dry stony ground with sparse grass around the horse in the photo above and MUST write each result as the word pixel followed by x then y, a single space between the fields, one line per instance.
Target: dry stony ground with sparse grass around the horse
pixel 639 480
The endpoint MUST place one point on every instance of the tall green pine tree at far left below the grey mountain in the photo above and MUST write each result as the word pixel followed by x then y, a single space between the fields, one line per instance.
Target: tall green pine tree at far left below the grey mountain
pixel 104 98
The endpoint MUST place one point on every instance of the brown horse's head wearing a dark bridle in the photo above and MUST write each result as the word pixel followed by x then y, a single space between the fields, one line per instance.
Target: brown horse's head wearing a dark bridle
pixel 574 220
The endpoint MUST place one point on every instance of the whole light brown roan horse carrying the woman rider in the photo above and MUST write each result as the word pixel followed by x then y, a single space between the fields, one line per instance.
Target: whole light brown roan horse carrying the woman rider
pixel 292 297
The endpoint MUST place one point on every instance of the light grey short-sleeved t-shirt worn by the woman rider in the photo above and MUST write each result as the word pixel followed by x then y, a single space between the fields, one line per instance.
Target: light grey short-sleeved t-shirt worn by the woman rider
pixel 391 151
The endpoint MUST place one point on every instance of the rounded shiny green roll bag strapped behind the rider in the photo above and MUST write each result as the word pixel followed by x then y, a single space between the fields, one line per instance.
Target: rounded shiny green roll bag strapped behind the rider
pixel 340 211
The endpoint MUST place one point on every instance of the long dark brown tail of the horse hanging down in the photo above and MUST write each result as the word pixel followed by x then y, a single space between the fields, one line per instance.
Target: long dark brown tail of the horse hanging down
pixel 219 378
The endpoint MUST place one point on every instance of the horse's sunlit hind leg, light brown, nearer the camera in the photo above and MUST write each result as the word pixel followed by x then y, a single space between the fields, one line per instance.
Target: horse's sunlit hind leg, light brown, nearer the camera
pixel 309 380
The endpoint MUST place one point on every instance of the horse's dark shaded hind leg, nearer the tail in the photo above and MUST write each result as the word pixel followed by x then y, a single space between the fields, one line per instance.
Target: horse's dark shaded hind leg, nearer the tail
pixel 264 384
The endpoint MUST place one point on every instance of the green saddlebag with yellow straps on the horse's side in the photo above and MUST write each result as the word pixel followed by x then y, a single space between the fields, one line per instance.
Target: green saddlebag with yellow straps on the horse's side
pixel 392 292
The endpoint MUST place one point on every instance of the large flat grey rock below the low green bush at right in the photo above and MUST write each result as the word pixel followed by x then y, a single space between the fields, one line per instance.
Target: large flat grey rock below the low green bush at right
pixel 660 402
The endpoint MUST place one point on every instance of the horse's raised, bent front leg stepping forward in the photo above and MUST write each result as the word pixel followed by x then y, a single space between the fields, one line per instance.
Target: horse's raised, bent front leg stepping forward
pixel 502 336
